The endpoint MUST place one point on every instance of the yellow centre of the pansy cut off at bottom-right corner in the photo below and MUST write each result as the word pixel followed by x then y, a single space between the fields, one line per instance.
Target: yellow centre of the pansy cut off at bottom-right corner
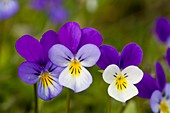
pixel 164 107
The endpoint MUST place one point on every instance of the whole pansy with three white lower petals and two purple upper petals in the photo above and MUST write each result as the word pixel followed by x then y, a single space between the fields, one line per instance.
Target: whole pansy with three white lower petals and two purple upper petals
pixel 121 71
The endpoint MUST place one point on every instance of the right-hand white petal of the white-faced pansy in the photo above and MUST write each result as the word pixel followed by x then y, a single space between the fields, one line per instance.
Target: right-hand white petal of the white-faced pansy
pixel 133 73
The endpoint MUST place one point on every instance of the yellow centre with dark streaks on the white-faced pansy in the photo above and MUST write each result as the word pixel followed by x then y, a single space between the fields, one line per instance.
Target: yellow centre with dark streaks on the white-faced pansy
pixel 121 82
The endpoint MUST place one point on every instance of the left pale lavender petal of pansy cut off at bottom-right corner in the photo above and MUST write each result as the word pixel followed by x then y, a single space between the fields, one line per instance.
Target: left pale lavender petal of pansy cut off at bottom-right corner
pixel 155 100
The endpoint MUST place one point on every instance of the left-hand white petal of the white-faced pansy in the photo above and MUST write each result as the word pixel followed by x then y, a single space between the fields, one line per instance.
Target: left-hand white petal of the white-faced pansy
pixel 109 72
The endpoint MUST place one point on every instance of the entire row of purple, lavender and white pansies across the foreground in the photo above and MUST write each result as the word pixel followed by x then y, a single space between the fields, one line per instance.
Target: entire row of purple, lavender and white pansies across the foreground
pixel 59 60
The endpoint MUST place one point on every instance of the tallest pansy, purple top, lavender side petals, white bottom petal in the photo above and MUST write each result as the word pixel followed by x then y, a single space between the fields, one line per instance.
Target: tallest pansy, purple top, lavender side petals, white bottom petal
pixel 78 49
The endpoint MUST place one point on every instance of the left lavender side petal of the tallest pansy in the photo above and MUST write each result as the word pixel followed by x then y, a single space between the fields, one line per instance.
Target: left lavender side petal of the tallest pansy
pixel 60 55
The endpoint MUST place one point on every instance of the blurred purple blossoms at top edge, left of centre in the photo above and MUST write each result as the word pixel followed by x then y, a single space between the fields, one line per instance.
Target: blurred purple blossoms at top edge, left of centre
pixel 53 8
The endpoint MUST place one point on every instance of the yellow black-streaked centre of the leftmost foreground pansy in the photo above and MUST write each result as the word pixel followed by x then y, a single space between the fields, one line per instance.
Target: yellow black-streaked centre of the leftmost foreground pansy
pixel 46 79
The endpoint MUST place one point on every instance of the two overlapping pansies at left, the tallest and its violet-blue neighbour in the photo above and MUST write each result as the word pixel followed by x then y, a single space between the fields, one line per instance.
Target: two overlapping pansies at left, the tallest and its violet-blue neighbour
pixel 69 52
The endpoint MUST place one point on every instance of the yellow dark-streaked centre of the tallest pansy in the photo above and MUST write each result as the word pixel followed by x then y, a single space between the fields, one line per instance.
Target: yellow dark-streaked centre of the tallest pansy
pixel 75 68
